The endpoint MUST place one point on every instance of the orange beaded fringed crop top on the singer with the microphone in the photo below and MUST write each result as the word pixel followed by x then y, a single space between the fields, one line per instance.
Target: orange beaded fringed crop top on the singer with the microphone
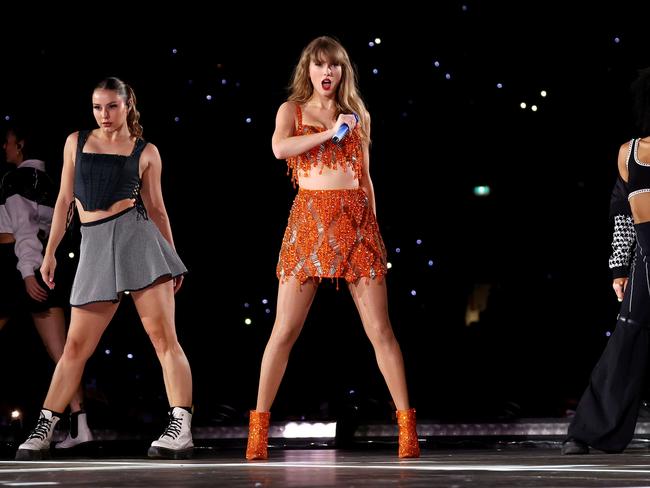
pixel 348 153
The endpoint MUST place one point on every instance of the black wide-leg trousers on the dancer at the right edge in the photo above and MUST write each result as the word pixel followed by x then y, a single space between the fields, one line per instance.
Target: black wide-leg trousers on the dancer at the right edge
pixel 608 410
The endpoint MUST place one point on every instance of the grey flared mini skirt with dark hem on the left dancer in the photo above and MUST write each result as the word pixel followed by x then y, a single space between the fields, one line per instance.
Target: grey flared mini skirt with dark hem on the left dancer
pixel 120 253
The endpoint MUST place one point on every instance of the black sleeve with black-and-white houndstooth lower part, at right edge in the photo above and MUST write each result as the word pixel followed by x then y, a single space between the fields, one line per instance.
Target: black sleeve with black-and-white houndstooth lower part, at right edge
pixel 624 236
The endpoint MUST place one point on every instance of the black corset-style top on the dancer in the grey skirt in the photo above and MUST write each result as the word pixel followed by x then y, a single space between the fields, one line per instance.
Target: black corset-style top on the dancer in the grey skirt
pixel 100 180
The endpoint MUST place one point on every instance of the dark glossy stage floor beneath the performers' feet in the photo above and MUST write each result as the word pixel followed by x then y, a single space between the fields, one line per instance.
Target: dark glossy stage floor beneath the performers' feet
pixel 512 466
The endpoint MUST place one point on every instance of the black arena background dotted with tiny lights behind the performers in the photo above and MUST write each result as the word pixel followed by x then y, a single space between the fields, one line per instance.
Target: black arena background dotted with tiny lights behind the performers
pixel 540 240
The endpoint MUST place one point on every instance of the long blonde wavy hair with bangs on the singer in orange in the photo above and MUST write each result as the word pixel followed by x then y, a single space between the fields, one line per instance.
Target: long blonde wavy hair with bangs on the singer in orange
pixel 348 99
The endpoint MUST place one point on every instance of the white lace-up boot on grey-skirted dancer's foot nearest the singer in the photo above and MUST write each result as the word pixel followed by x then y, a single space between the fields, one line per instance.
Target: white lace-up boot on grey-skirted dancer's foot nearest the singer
pixel 176 441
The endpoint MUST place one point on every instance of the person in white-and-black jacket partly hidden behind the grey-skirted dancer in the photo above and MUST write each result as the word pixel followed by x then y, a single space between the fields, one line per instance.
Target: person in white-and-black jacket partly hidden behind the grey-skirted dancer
pixel 27 196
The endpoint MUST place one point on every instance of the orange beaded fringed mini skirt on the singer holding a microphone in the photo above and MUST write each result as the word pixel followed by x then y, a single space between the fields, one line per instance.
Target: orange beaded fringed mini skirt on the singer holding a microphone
pixel 332 234
